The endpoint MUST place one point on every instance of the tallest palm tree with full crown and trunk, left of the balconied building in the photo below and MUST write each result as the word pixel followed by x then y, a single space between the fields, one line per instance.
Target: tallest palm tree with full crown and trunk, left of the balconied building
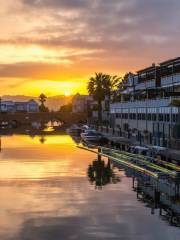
pixel 96 88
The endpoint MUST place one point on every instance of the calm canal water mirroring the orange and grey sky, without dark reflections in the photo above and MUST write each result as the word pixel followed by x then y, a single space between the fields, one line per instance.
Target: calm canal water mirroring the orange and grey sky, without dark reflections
pixel 45 194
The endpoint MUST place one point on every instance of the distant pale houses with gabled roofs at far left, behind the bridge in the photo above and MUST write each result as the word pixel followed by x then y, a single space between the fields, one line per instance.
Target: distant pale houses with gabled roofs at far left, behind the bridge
pixel 10 106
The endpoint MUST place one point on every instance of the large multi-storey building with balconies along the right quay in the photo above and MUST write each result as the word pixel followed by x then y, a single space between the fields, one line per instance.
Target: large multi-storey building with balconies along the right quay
pixel 148 105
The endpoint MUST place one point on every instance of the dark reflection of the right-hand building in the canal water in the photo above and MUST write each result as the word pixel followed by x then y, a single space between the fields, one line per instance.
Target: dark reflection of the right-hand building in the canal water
pixel 160 195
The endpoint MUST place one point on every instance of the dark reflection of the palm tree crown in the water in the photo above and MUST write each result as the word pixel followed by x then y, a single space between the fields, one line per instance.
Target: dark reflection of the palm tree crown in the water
pixel 101 174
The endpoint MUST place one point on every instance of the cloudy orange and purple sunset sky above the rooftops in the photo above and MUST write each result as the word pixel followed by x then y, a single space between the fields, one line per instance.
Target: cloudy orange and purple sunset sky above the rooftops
pixel 55 46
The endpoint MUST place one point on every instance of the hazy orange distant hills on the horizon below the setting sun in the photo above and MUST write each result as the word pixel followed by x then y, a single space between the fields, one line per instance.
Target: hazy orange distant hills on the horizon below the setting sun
pixel 53 103
